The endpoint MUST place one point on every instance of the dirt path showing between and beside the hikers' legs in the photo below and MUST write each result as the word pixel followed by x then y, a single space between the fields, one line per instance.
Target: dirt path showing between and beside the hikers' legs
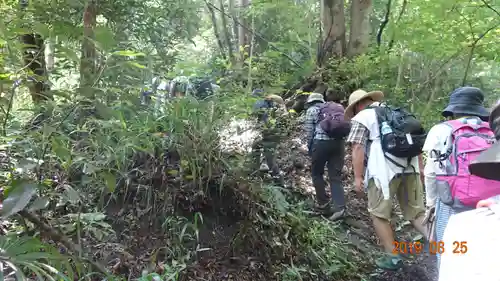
pixel 358 227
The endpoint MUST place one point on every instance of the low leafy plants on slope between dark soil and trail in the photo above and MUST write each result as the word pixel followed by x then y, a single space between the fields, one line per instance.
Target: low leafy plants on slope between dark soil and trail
pixel 322 252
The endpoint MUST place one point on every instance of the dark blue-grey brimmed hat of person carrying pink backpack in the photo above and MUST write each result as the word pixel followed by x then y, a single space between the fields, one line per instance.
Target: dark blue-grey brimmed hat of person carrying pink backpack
pixel 466 100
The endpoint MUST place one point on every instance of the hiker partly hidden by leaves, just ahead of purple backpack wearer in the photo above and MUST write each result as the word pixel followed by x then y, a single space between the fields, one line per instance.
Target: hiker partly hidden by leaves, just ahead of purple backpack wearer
pixel 269 112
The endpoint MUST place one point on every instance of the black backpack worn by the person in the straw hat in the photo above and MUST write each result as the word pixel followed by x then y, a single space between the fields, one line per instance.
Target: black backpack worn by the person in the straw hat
pixel 407 137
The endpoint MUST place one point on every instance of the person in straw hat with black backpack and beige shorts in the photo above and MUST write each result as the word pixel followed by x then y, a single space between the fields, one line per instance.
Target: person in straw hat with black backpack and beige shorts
pixel 387 142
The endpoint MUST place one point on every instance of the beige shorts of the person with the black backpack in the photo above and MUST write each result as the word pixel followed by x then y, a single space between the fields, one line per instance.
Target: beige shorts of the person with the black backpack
pixel 411 198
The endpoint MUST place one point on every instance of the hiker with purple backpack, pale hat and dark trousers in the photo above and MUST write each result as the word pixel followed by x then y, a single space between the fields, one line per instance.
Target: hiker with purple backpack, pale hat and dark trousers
pixel 326 130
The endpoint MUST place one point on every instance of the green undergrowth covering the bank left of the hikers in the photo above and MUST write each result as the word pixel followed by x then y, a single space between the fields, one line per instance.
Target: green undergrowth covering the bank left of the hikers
pixel 60 177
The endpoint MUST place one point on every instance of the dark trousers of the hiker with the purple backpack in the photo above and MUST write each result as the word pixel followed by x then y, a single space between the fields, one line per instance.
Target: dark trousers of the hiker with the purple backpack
pixel 328 153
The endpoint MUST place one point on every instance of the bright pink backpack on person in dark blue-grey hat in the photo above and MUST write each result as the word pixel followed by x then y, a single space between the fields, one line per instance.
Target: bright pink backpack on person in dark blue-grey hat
pixel 468 141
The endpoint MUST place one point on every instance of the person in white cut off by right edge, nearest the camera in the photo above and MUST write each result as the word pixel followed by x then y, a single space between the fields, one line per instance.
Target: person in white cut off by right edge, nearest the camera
pixel 479 229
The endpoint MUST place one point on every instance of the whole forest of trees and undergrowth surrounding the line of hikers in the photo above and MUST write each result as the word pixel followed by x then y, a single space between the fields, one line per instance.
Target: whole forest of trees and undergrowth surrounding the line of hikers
pixel 83 166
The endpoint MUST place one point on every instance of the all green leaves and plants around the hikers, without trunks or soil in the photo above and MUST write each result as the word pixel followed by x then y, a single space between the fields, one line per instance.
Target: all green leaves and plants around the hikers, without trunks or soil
pixel 88 151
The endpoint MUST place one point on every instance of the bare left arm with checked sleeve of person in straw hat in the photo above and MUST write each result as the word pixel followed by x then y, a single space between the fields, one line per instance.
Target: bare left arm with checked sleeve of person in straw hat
pixel 358 136
